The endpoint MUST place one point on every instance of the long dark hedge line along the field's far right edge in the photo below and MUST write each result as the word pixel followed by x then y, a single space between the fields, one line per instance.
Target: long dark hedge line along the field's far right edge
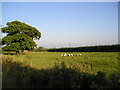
pixel 101 48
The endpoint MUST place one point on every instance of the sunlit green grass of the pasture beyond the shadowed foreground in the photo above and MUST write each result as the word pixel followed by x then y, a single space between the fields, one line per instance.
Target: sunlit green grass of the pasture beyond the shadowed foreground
pixel 100 61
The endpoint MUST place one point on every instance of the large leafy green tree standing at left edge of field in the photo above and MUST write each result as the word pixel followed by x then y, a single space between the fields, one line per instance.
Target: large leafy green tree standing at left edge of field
pixel 19 36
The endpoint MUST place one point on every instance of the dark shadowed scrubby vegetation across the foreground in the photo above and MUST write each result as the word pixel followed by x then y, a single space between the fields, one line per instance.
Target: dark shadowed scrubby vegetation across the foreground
pixel 18 75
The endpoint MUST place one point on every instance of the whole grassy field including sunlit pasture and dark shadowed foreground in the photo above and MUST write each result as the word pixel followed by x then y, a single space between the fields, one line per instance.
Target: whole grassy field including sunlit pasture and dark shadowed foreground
pixel 51 70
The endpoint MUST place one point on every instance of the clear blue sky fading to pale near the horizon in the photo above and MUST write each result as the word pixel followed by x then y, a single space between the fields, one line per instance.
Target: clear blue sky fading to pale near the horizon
pixel 80 23
